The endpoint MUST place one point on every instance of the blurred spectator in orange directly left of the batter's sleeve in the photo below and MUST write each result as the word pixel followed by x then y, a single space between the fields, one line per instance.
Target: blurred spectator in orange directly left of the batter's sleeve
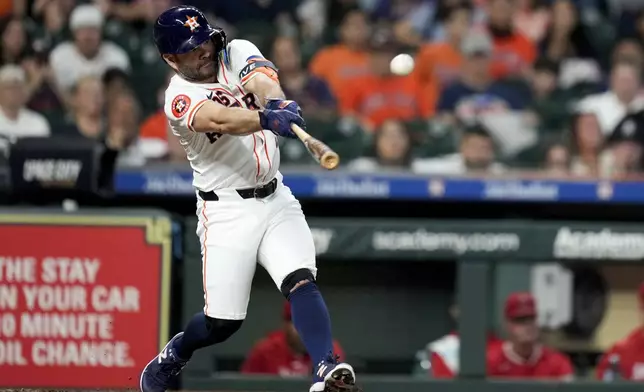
pixel 156 138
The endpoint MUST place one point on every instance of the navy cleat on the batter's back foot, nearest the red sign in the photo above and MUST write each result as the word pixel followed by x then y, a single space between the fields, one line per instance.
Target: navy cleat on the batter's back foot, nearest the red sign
pixel 163 370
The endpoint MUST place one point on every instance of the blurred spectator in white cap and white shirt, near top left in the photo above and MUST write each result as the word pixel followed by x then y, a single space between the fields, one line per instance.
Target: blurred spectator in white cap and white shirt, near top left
pixel 88 54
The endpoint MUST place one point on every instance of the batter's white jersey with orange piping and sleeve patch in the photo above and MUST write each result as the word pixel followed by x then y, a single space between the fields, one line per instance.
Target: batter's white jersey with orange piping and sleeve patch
pixel 223 161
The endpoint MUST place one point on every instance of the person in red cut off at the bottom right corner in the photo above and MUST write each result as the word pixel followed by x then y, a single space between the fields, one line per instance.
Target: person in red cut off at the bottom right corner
pixel 625 360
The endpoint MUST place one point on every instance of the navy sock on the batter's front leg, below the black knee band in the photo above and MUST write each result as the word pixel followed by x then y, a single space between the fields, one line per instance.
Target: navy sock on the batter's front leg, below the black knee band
pixel 312 322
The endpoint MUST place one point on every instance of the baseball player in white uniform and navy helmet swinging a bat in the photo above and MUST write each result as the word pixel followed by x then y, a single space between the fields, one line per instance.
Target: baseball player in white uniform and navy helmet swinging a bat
pixel 227 108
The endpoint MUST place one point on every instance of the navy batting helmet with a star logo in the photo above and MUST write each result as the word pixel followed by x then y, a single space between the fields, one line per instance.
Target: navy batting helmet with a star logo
pixel 183 28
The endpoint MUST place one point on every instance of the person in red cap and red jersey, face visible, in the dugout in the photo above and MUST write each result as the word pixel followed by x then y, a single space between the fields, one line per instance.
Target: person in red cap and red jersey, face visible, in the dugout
pixel 522 355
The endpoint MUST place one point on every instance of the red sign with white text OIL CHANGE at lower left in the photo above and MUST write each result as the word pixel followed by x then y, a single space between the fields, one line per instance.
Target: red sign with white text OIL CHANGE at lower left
pixel 83 301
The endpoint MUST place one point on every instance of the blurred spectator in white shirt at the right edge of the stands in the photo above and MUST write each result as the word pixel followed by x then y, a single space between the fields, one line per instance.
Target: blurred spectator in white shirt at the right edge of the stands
pixel 624 96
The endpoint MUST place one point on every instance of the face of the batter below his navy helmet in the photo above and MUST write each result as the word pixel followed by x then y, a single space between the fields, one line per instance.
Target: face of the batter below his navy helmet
pixel 199 64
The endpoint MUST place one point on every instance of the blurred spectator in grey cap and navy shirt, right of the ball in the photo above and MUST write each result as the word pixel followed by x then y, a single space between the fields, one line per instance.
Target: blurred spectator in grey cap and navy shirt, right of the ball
pixel 476 93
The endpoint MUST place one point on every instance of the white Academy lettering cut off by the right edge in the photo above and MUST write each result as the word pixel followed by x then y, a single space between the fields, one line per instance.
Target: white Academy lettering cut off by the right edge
pixel 599 244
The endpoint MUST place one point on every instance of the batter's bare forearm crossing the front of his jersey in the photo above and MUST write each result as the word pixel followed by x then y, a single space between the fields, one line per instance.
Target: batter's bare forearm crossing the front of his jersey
pixel 212 117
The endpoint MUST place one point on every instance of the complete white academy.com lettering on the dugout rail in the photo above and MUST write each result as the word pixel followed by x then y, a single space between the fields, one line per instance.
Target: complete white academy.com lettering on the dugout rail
pixel 459 243
